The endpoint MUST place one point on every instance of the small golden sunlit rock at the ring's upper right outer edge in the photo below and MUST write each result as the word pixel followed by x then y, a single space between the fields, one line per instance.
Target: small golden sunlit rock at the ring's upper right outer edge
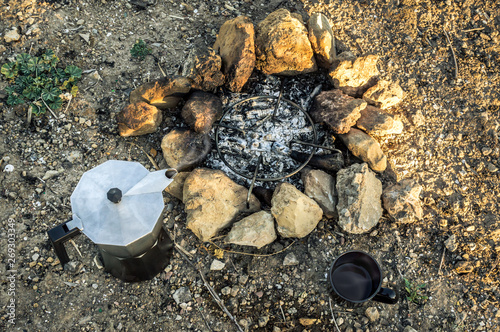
pixel 384 94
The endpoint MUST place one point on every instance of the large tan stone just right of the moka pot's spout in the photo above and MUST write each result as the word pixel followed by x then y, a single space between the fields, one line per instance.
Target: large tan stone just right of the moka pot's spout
pixel 213 201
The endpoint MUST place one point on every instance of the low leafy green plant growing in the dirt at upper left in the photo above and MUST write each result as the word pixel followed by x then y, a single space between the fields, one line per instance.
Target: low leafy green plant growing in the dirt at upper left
pixel 39 82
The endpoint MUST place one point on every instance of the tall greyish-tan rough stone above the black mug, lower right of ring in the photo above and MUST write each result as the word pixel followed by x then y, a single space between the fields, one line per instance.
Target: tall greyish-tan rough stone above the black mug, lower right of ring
pixel 359 207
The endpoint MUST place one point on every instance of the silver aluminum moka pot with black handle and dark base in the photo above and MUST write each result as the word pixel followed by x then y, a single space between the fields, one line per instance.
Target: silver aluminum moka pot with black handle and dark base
pixel 119 206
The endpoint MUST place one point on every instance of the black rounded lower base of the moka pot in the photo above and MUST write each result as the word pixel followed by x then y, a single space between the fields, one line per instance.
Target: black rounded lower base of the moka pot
pixel 142 267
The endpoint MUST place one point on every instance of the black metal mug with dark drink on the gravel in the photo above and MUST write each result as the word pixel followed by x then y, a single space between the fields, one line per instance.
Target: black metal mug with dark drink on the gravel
pixel 356 277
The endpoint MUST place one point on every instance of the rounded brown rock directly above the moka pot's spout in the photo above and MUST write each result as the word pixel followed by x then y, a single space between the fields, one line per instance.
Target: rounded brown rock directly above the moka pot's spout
pixel 183 148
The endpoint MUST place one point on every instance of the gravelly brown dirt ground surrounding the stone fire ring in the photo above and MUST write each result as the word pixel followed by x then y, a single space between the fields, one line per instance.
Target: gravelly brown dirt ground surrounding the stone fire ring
pixel 449 145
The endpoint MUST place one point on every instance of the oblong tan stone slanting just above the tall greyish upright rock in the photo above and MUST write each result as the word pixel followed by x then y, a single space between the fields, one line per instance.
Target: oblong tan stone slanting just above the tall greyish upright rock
pixel 365 148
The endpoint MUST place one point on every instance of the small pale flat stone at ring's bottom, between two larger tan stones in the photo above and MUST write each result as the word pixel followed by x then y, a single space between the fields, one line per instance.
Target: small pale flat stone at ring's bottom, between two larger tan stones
pixel 256 230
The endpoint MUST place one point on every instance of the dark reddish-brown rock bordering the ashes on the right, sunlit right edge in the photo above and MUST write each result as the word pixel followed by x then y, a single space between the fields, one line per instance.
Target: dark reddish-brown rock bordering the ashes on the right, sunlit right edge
pixel 337 109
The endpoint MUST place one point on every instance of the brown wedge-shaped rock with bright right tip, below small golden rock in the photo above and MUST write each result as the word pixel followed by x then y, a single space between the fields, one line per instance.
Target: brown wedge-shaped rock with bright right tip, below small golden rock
pixel 374 121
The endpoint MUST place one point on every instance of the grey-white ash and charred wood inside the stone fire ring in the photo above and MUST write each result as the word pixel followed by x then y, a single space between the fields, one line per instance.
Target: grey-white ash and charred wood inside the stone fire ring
pixel 255 127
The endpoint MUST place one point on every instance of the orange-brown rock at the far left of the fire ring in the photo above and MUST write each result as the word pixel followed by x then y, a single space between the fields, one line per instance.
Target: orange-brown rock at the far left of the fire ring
pixel 138 119
